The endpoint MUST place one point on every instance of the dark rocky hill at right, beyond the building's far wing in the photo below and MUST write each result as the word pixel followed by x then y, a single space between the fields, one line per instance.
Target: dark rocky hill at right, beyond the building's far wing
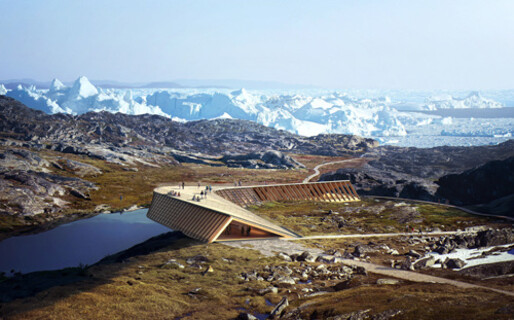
pixel 435 174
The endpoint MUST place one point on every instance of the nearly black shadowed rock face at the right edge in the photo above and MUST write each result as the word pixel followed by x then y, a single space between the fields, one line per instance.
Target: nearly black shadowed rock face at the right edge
pixel 484 184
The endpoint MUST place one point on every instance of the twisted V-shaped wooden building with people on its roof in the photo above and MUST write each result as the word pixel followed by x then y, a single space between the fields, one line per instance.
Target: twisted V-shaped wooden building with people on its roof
pixel 220 215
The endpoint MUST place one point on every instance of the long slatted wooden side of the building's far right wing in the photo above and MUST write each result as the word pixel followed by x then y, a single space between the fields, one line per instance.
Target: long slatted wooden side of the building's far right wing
pixel 330 191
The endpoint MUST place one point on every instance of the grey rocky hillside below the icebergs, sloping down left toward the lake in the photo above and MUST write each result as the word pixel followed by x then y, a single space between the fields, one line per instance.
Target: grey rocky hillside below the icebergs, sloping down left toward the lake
pixel 32 182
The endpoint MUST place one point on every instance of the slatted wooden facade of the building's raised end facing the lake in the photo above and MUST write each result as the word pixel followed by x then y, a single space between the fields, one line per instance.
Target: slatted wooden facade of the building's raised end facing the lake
pixel 194 221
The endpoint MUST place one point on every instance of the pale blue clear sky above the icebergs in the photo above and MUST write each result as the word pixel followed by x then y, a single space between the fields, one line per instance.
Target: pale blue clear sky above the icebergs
pixel 358 44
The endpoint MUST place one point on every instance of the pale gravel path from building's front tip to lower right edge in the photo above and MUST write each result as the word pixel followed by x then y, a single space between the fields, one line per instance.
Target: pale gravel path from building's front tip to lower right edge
pixel 272 247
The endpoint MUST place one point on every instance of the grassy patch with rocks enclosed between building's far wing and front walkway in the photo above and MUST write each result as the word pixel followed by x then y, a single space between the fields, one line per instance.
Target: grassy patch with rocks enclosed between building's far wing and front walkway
pixel 366 216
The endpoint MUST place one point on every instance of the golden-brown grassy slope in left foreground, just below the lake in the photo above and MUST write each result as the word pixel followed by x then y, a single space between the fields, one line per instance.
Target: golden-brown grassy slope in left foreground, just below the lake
pixel 141 288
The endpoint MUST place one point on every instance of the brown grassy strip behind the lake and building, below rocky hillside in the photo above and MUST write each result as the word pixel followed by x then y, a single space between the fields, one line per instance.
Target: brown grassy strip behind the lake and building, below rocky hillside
pixel 120 188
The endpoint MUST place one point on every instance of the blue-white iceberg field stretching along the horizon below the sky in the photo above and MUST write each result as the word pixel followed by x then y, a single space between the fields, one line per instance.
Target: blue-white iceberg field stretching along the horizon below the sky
pixel 395 117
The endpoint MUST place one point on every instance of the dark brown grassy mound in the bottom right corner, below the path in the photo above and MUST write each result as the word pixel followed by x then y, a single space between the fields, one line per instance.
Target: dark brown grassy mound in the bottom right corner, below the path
pixel 416 301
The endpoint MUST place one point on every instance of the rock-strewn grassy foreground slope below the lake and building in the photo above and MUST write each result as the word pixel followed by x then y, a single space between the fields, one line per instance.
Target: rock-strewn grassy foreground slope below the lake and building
pixel 317 281
